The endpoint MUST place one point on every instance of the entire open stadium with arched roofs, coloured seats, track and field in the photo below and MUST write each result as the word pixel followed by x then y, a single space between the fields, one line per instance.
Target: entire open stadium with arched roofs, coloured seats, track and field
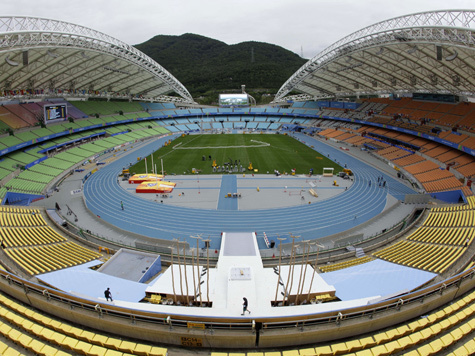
pixel 365 249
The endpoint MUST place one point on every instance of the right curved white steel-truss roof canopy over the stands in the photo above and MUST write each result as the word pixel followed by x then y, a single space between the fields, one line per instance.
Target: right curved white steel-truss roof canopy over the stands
pixel 422 52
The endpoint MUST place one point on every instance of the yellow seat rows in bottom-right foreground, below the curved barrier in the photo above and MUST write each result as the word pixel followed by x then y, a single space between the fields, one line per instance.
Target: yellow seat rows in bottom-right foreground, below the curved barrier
pixel 429 335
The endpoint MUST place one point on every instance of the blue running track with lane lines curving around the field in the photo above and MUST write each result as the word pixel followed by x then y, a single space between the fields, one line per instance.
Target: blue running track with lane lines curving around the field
pixel 103 195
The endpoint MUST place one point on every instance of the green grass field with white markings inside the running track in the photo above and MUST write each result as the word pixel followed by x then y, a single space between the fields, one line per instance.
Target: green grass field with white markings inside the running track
pixel 267 152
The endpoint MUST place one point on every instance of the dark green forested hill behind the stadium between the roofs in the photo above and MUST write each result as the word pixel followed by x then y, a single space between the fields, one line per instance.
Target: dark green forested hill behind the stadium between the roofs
pixel 203 64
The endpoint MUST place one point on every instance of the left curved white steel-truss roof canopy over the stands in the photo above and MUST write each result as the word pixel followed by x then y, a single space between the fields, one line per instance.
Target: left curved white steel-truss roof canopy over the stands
pixel 63 55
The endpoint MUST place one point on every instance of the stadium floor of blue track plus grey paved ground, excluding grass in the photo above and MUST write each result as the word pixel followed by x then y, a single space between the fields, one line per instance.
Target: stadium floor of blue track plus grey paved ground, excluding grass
pixel 179 217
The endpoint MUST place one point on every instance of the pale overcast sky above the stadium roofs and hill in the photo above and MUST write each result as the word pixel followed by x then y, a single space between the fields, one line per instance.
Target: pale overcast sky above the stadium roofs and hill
pixel 311 25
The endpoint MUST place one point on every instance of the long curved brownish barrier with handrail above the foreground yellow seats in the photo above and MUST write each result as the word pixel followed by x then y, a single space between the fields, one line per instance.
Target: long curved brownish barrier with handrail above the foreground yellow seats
pixel 231 322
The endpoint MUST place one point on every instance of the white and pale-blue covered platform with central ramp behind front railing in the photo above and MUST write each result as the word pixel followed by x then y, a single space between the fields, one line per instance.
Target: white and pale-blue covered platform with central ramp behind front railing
pixel 240 273
